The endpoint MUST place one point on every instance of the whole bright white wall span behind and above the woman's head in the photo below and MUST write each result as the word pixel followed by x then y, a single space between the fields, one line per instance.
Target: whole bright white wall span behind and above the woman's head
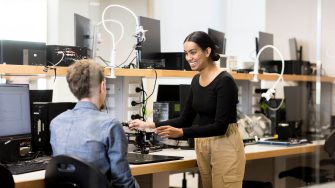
pixel 239 19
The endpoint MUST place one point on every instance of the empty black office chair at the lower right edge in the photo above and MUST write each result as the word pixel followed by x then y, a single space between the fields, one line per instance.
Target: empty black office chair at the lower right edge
pixel 308 174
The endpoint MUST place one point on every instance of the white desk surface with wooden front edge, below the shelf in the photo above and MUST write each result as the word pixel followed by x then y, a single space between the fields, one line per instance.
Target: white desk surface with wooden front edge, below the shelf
pixel 256 151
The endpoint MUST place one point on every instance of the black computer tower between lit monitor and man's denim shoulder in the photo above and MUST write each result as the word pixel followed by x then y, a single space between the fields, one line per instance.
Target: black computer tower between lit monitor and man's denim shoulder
pixel 42 114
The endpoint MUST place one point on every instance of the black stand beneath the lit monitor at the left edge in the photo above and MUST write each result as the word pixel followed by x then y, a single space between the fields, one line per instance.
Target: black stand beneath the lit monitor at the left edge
pixel 9 151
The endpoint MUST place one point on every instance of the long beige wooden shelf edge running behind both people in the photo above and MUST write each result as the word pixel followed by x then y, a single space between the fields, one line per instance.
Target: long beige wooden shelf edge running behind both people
pixel 30 70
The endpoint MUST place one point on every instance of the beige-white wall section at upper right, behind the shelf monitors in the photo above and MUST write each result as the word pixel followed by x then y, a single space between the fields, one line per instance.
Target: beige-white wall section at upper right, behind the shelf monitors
pixel 287 19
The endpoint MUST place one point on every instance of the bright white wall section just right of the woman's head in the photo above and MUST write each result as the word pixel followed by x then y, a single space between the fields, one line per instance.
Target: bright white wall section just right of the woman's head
pixel 244 20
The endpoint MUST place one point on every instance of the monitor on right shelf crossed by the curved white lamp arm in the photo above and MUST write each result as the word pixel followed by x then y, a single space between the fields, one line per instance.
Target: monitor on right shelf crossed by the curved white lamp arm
pixel 263 40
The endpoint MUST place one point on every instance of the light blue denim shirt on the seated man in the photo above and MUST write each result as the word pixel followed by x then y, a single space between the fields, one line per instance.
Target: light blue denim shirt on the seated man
pixel 93 136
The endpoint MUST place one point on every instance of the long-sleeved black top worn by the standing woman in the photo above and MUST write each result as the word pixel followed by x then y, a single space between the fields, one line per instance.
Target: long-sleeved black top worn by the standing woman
pixel 215 104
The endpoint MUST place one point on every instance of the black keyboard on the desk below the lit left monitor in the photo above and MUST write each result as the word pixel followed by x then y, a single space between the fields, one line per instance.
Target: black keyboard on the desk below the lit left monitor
pixel 22 167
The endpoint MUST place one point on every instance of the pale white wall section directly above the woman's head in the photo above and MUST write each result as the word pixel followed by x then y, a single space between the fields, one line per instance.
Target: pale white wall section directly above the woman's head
pixel 180 18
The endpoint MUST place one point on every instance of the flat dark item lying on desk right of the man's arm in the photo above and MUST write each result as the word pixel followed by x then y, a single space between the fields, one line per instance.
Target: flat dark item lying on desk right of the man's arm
pixel 137 158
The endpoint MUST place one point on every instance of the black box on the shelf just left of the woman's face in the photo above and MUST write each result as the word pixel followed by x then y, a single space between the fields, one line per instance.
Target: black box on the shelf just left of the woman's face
pixel 175 61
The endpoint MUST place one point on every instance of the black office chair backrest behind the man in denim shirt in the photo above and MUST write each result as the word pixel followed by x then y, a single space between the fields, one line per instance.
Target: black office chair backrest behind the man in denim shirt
pixel 65 171
